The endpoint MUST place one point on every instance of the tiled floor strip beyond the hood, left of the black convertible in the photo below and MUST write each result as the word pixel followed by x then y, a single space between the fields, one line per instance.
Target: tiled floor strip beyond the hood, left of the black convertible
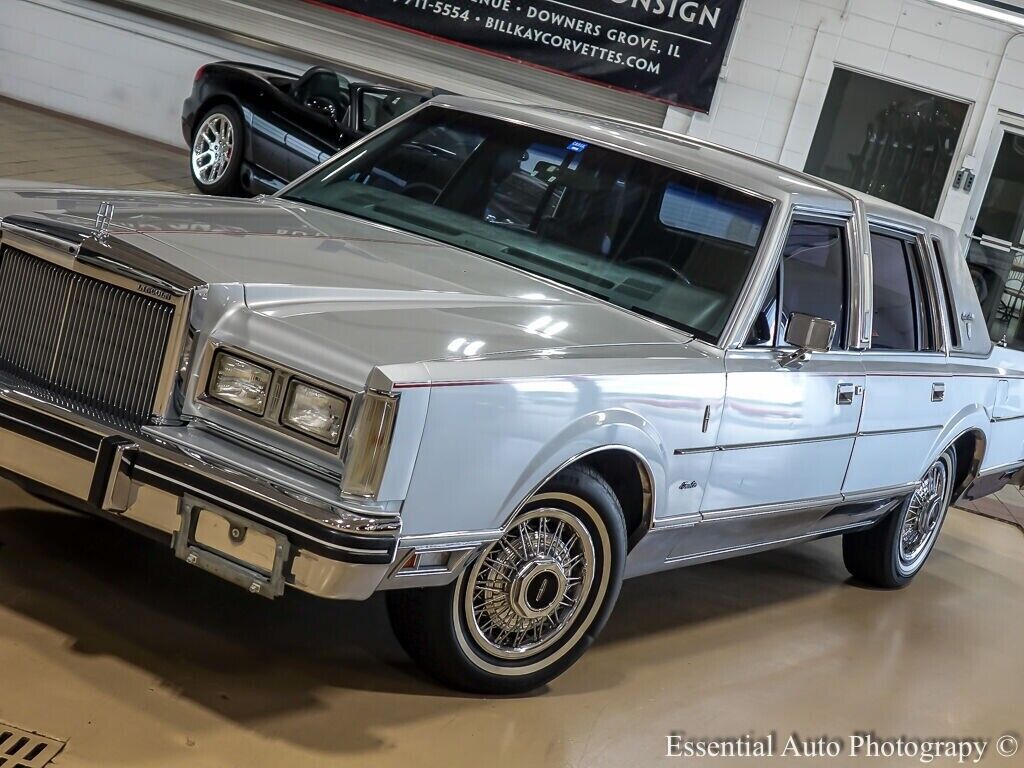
pixel 39 146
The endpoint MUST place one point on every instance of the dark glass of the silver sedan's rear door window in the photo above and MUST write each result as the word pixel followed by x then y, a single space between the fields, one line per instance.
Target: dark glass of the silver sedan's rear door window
pixel 902 321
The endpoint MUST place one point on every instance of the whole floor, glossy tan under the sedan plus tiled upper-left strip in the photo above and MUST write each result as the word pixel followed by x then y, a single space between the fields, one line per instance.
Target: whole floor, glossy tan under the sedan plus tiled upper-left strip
pixel 136 659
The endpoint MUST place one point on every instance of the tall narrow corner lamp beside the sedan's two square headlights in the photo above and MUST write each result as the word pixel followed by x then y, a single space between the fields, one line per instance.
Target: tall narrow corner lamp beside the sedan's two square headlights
pixel 369 444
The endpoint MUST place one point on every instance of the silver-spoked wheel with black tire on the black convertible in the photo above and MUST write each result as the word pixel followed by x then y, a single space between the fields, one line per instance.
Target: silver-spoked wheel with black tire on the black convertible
pixel 228 154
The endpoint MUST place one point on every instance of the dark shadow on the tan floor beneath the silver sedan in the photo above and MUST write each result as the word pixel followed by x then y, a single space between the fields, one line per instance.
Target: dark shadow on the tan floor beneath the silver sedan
pixel 251 660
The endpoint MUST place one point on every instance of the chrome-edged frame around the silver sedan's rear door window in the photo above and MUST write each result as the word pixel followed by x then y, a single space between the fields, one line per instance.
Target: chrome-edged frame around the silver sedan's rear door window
pixel 923 285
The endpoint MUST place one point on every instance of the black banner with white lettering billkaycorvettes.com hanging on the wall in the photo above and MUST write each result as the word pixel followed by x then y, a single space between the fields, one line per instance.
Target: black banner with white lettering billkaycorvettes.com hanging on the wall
pixel 669 50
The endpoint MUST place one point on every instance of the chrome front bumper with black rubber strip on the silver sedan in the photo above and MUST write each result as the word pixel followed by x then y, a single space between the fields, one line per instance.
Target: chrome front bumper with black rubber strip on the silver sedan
pixel 138 479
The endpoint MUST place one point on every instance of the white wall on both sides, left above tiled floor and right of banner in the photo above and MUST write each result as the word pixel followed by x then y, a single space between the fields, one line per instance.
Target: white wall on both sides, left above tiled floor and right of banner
pixel 78 58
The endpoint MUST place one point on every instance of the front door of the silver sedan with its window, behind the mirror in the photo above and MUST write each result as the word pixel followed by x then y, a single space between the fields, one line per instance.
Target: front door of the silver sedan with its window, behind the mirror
pixel 788 433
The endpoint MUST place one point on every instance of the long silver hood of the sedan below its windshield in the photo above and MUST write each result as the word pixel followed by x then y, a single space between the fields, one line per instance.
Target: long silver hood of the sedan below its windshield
pixel 376 294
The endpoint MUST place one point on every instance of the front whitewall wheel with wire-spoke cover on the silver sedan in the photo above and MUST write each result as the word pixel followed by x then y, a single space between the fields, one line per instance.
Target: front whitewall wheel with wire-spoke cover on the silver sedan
pixel 532 603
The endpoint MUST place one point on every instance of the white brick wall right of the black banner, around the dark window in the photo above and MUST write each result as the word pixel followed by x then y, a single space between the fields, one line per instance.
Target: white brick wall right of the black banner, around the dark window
pixel 785 53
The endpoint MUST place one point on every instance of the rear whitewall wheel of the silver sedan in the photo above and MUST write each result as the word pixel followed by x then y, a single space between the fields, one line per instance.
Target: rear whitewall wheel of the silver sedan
pixel 894 551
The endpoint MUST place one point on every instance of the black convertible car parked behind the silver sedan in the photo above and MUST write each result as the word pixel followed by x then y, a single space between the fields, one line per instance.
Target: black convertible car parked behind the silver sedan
pixel 253 130
